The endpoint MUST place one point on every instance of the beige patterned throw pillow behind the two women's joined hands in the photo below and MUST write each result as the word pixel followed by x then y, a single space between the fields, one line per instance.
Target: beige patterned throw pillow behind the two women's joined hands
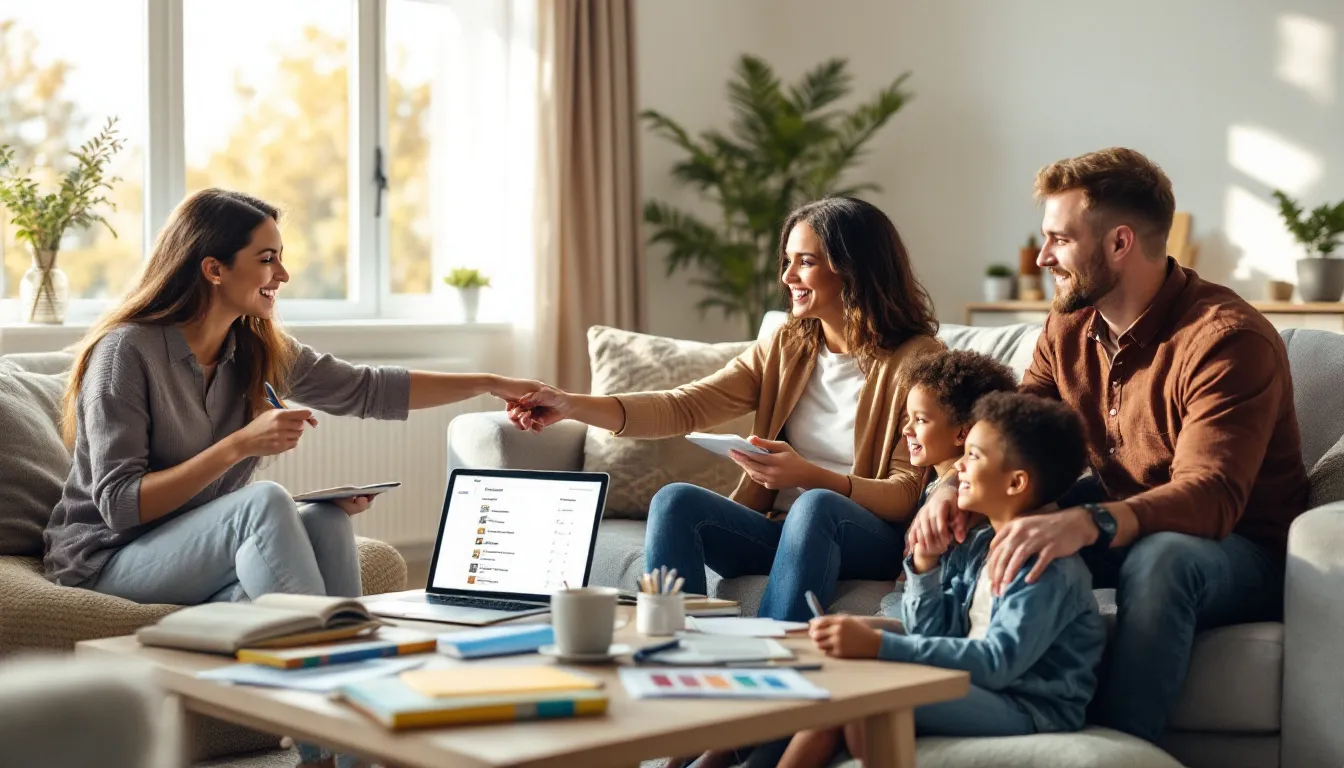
pixel 624 361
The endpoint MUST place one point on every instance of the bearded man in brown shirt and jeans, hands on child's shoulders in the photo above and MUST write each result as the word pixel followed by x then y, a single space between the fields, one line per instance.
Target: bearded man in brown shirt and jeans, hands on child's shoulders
pixel 1197 466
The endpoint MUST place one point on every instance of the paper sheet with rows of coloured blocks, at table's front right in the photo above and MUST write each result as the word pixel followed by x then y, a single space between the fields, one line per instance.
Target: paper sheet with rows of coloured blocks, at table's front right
pixel 721 683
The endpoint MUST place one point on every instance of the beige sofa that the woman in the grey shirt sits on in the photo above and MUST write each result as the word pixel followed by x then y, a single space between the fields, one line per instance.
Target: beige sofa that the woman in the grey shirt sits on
pixel 37 615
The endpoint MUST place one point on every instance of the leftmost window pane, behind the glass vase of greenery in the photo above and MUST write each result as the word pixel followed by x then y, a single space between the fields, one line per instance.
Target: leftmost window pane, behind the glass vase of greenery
pixel 60 83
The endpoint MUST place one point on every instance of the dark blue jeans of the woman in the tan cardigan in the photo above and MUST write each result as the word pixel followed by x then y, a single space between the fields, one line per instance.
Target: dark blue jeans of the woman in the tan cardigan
pixel 825 539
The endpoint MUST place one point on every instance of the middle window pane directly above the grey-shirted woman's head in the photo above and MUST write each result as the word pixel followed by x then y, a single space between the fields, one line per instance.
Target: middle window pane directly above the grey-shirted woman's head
pixel 267 112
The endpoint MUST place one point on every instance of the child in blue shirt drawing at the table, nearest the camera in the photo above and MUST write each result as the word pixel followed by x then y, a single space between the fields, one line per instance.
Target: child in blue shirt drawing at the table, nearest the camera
pixel 1033 650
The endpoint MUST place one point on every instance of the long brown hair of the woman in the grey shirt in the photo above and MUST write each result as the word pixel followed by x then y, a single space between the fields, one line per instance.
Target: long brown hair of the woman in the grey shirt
pixel 173 291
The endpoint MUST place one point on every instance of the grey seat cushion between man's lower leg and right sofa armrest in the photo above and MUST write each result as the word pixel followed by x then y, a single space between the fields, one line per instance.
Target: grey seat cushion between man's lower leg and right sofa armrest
pixel 1236 681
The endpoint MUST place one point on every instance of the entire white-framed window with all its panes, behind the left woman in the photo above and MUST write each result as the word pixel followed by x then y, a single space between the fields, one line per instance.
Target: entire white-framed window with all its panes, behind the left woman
pixel 392 134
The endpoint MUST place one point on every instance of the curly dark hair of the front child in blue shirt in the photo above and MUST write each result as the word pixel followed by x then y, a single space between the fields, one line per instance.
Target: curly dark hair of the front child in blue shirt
pixel 1042 436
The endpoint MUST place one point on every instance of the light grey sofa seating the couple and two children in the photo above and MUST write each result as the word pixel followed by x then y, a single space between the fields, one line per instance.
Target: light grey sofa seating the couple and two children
pixel 1259 696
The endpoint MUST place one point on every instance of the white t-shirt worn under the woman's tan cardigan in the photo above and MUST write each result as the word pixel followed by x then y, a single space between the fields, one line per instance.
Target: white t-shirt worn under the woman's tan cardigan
pixel 822 426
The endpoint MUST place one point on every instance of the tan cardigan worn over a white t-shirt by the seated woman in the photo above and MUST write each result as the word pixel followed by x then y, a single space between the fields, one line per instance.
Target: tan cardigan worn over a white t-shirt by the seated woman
pixel 769 380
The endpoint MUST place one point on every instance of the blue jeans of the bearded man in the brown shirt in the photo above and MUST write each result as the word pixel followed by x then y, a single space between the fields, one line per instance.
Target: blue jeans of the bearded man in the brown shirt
pixel 1169 587
